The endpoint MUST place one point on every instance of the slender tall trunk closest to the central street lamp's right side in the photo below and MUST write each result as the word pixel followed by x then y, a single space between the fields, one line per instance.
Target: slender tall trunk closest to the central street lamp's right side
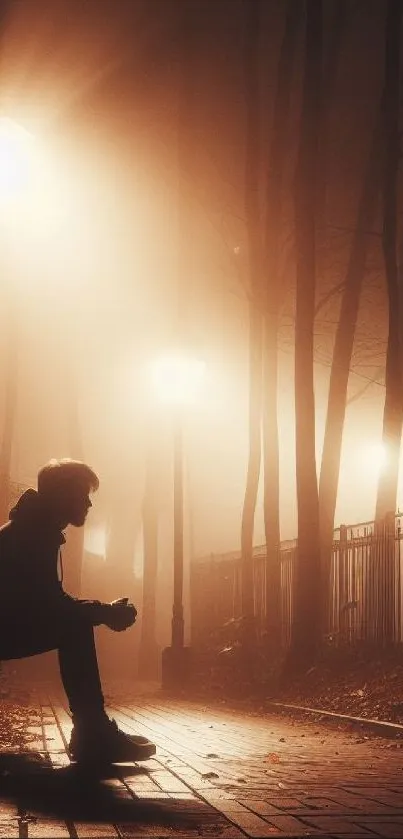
pixel 253 228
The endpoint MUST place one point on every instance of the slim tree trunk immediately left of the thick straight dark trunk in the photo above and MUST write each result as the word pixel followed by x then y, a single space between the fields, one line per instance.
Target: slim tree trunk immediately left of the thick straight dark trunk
pixel 277 163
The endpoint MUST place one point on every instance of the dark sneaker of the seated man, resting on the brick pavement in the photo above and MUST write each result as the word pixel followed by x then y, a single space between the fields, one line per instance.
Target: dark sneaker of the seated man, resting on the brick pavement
pixel 109 745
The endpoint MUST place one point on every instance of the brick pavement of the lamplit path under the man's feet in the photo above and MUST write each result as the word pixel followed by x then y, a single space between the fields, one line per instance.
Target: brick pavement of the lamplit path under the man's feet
pixel 216 773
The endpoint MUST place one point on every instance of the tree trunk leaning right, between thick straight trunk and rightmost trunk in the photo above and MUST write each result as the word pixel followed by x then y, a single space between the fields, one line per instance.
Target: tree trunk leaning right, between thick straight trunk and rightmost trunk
pixel 341 361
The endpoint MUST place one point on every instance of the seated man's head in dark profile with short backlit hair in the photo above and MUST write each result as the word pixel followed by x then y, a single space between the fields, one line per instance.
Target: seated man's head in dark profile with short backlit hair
pixel 64 487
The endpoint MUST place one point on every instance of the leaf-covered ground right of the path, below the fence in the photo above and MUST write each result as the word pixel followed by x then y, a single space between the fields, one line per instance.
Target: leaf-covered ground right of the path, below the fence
pixel 352 681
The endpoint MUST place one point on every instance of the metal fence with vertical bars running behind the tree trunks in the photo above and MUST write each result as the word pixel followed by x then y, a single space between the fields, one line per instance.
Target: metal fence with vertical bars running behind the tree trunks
pixel 365 586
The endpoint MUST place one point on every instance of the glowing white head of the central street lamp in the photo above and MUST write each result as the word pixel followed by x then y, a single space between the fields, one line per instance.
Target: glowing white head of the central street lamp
pixel 177 379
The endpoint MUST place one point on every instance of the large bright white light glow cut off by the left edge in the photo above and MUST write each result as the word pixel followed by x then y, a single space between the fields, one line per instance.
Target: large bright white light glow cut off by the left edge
pixel 16 152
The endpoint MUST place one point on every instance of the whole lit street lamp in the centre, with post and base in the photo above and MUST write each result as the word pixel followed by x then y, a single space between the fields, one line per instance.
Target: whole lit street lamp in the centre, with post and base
pixel 177 380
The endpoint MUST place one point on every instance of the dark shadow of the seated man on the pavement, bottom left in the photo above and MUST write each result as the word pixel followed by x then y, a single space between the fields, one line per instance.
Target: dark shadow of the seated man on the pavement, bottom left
pixel 40 790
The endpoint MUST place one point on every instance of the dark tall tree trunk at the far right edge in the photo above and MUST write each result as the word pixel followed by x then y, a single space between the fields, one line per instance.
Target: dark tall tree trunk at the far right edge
pixel 383 558
